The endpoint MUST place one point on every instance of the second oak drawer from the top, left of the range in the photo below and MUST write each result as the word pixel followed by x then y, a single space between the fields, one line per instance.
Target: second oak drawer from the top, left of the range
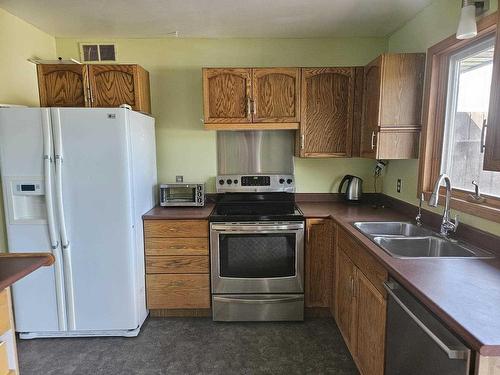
pixel 176 246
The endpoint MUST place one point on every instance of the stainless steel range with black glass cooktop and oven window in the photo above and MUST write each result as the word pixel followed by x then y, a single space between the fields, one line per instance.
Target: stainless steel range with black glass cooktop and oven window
pixel 257 249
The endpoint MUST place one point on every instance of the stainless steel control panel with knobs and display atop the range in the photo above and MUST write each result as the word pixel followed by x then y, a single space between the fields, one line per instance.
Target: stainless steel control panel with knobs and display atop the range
pixel 255 183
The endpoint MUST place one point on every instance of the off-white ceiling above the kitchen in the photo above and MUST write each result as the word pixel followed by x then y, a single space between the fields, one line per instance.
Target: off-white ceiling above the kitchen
pixel 216 18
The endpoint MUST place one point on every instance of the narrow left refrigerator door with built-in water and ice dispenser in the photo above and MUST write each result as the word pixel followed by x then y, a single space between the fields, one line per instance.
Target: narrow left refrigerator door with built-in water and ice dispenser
pixel 35 297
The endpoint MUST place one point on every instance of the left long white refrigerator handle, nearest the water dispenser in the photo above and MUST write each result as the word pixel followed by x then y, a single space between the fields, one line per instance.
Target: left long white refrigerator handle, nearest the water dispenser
pixel 49 202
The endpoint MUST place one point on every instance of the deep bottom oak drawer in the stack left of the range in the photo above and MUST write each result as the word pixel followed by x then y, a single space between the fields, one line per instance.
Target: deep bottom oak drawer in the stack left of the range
pixel 171 291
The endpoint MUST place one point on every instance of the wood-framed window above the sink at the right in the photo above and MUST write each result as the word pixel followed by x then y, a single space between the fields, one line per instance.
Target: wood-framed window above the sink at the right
pixel 456 108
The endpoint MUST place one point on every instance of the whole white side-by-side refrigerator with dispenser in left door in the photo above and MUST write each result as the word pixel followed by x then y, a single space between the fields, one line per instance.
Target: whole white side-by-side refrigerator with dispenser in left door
pixel 76 182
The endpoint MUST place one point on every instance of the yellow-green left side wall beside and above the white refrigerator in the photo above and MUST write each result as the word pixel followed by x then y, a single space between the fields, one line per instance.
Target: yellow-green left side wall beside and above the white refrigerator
pixel 18 85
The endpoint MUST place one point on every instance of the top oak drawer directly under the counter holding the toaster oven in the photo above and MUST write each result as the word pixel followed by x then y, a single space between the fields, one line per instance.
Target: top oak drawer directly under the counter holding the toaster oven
pixel 176 228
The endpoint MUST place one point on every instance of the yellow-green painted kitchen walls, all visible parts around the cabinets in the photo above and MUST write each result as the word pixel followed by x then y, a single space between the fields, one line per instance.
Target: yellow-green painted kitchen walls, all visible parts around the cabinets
pixel 183 147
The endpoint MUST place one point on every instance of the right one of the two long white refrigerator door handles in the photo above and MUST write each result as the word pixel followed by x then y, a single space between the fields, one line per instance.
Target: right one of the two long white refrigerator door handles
pixel 68 272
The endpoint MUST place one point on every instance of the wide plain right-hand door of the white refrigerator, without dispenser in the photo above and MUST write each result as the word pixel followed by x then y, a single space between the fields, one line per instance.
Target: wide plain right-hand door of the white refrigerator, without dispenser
pixel 97 200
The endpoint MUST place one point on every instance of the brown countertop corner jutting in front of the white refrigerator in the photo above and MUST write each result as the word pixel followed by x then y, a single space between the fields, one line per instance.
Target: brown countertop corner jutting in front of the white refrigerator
pixel 14 267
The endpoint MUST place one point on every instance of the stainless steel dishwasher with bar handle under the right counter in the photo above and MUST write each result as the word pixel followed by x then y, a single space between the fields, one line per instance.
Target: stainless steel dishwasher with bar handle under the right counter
pixel 417 343
